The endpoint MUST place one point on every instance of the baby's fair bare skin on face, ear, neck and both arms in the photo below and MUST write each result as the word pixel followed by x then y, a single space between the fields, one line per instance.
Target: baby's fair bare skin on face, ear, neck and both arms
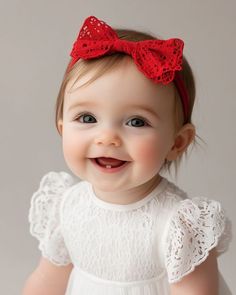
pixel 109 101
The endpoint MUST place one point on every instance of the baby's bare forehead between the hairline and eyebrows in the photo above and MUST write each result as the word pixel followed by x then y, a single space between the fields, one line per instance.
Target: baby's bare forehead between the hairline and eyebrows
pixel 123 84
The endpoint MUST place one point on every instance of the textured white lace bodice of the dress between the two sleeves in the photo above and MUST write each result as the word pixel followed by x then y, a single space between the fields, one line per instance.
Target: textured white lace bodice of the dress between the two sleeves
pixel 116 245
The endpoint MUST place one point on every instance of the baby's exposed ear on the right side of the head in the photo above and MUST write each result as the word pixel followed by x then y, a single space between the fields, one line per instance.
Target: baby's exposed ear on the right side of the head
pixel 182 140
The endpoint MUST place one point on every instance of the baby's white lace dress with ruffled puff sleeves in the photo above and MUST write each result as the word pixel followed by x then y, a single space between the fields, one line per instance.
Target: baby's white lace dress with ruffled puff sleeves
pixel 134 249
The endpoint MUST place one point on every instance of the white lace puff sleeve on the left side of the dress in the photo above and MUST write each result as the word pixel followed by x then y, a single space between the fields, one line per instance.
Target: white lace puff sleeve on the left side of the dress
pixel 44 216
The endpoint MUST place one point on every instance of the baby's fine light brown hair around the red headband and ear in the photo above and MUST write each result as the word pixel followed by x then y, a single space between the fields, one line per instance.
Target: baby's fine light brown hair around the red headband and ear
pixel 106 63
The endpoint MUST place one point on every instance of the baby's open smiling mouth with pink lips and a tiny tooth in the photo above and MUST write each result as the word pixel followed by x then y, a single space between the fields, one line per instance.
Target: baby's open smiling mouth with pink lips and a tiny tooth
pixel 109 165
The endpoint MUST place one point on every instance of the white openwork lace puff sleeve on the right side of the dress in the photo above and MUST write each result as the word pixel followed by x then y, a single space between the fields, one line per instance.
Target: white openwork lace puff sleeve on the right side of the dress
pixel 197 226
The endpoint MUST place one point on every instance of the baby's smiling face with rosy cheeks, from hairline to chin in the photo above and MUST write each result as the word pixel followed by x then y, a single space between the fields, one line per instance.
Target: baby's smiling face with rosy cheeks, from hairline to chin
pixel 121 115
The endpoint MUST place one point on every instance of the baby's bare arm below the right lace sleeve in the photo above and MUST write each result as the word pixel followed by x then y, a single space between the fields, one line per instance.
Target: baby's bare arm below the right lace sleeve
pixel 202 281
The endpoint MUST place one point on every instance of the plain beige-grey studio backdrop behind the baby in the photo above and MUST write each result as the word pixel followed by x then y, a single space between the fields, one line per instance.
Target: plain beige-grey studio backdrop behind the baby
pixel 35 41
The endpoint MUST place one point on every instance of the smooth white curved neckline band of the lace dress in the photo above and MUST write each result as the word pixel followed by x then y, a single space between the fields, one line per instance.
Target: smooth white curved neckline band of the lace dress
pixel 121 207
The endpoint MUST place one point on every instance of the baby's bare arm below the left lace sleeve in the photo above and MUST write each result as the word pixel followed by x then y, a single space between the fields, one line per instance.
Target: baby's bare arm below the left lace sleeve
pixel 48 279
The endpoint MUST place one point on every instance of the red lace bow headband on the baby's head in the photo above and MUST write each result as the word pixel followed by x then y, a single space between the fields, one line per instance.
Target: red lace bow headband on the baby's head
pixel 158 60
